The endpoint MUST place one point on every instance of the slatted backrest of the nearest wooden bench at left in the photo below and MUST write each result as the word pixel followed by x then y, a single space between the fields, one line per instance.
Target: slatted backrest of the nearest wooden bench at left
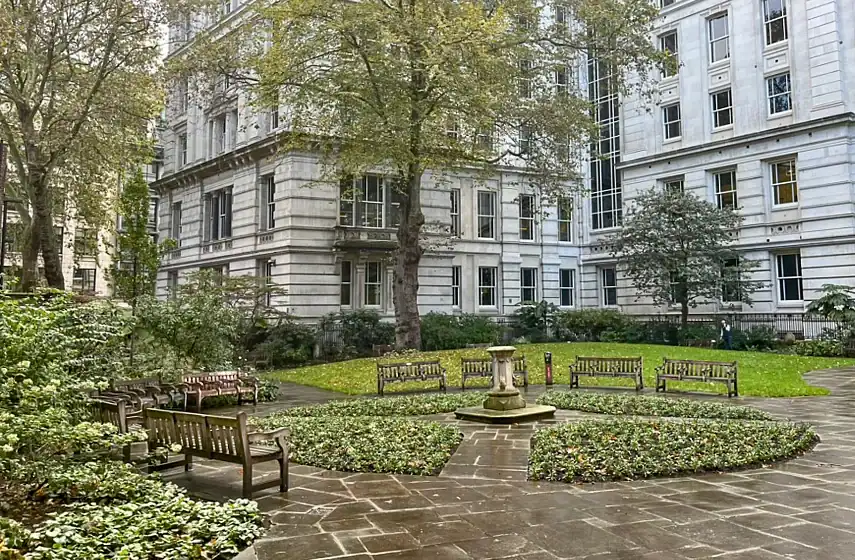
pixel 215 437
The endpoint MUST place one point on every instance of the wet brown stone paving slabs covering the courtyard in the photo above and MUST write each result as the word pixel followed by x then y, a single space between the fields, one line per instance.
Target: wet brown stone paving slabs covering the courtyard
pixel 481 506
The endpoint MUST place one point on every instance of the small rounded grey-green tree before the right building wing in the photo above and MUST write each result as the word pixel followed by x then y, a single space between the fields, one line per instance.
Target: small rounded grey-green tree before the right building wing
pixel 676 248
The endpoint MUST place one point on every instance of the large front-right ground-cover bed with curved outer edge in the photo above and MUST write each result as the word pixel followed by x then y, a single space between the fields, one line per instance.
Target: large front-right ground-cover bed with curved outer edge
pixel 625 449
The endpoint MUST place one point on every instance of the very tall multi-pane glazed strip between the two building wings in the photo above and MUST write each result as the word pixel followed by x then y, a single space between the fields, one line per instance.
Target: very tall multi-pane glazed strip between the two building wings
pixel 606 190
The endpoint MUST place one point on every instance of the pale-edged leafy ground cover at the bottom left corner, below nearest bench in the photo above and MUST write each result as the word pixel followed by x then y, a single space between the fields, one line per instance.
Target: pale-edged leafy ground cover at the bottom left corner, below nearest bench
pixel 167 525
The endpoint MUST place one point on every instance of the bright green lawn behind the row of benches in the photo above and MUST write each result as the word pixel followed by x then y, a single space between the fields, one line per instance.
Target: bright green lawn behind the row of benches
pixel 760 374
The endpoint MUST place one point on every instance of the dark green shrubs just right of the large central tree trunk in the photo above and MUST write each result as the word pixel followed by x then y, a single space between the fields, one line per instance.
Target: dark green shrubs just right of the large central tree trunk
pixel 447 332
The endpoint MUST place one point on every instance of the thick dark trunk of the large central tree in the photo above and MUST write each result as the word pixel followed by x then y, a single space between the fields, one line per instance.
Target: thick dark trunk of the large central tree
pixel 408 330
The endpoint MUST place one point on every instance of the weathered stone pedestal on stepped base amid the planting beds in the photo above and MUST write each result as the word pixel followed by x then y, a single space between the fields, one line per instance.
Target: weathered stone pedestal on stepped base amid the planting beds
pixel 504 404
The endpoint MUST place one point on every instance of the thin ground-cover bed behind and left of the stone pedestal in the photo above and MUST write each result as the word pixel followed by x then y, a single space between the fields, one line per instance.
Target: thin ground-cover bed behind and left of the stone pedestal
pixel 413 405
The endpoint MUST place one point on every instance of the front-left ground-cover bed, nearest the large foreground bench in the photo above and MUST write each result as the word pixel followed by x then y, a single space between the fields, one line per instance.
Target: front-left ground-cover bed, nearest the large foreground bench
pixel 367 444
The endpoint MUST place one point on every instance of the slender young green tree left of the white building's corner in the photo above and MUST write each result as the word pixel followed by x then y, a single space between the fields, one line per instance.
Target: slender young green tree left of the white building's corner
pixel 136 257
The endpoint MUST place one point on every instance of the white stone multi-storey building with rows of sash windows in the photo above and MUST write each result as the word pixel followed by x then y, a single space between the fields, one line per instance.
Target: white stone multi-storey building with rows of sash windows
pixel 760 114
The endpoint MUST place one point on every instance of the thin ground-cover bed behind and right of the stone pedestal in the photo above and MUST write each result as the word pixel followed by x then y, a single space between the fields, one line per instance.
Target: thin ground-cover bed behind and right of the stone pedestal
pixel 649 406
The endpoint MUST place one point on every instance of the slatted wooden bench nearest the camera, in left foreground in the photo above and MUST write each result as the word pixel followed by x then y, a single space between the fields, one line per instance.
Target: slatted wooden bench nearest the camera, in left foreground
pixel 219 438
